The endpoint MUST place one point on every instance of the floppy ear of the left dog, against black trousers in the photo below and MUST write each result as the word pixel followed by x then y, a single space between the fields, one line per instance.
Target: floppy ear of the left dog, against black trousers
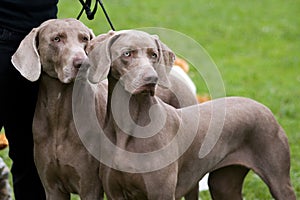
pixel 26 59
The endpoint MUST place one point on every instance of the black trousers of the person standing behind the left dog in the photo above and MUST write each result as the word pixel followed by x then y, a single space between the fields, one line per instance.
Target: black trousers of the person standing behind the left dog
pixel 17 105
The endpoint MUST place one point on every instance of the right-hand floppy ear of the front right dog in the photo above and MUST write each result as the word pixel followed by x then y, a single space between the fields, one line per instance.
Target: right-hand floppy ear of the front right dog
pixel 166 61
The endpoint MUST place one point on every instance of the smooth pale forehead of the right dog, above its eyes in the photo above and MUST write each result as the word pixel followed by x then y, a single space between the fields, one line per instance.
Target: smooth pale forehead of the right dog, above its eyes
pixel 134 40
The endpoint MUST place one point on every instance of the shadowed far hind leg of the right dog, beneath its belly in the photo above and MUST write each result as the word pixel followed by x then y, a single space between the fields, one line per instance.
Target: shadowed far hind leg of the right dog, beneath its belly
pixel 227 182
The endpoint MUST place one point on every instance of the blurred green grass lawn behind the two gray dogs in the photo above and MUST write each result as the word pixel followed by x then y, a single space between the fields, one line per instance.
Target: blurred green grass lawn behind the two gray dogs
pixel 255 45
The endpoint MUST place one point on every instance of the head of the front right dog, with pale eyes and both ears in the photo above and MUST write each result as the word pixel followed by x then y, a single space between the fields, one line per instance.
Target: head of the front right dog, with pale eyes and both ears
pixel 139 60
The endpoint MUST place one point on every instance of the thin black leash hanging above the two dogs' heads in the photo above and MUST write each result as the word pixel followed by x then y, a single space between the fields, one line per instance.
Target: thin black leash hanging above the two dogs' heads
pixel 86 6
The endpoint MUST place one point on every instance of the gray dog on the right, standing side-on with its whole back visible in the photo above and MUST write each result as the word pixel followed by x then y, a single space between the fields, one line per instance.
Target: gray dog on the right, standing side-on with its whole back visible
pixel 226 137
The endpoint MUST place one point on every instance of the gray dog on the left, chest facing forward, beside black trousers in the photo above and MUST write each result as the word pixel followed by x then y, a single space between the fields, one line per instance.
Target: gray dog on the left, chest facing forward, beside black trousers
pixel 53 53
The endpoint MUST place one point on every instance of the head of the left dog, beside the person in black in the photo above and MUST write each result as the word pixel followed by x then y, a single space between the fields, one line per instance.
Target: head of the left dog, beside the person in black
pixel 57 47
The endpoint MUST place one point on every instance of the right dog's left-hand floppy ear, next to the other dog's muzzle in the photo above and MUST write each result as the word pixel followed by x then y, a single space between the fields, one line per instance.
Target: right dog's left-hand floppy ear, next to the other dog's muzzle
pixel 100 60
